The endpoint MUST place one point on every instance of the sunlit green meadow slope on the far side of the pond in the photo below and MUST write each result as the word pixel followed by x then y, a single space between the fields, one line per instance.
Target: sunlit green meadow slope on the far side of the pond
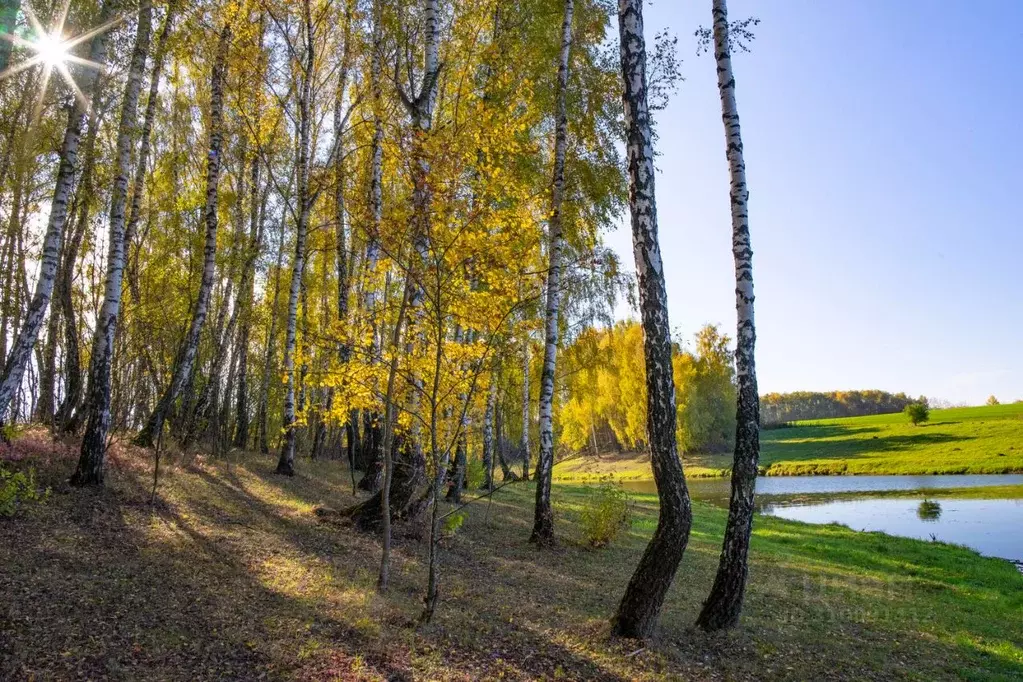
pixel 973 440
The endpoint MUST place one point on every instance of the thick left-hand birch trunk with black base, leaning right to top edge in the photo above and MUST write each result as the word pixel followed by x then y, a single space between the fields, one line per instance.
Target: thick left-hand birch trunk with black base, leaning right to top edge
pixel 91 464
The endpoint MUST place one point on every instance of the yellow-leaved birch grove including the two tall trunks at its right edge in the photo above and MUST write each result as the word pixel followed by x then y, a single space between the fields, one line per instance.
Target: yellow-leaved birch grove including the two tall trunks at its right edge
pixel 367 236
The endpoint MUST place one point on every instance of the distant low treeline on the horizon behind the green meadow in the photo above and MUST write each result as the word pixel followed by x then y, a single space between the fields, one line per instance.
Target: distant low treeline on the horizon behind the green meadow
pixel 780 408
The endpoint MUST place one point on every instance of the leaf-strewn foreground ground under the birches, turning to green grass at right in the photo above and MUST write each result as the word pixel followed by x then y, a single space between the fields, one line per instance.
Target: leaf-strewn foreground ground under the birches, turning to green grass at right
pixel 233 576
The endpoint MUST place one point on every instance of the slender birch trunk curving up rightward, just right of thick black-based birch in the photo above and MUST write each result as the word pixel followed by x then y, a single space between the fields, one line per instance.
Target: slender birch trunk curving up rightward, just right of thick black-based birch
pixel 187 356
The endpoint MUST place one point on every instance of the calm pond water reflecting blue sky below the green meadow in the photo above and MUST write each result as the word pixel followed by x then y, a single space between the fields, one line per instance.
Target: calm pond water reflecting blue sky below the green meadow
pixel 990 526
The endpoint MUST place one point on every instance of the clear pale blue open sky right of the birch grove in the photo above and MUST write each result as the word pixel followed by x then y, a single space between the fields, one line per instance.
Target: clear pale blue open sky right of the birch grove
pixel 884 144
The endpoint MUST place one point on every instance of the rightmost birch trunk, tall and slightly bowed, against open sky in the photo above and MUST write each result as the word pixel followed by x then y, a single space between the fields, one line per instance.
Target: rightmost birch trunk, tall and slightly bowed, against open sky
pixel 725 606
